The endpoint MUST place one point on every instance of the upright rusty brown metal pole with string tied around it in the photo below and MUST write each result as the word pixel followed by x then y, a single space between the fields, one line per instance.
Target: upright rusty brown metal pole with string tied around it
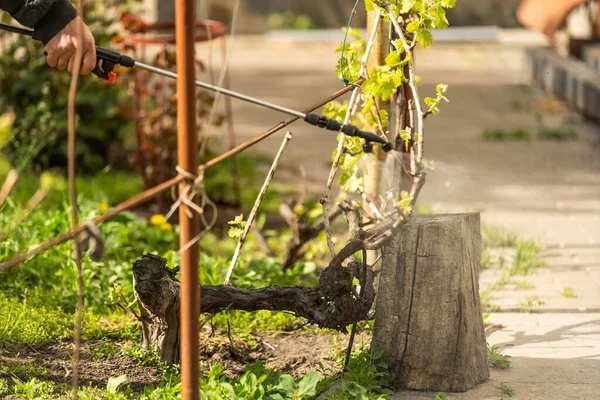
pixel 187 148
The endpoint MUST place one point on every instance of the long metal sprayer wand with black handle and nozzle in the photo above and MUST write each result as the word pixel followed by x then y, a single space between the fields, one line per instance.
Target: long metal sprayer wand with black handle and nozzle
pixel 106 60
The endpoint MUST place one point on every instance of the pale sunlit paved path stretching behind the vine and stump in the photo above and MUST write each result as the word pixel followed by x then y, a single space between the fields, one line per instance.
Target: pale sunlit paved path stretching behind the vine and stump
pixel 542 189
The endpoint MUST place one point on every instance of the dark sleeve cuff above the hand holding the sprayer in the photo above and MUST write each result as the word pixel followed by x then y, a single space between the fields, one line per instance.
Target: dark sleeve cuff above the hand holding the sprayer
pixel 45 17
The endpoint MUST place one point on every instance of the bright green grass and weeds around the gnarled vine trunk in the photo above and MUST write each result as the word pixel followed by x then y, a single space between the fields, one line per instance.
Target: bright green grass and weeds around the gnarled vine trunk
pixel 37 301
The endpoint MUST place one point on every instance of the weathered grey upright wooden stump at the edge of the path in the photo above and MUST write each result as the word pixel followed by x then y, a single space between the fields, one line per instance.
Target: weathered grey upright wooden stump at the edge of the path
pixel 428 313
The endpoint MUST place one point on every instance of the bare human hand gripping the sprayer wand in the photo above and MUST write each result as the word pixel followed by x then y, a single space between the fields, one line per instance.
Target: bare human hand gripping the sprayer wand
pixel 62 48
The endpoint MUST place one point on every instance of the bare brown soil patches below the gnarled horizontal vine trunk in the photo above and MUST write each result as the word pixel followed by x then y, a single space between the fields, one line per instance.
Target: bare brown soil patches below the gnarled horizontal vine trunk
pixel 295 353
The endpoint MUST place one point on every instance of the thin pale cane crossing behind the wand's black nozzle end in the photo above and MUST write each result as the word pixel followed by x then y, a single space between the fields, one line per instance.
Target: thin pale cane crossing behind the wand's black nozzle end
pixel 352 104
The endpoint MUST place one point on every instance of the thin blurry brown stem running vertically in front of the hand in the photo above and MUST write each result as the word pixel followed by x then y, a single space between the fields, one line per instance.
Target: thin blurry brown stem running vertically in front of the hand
pixel 73 193
